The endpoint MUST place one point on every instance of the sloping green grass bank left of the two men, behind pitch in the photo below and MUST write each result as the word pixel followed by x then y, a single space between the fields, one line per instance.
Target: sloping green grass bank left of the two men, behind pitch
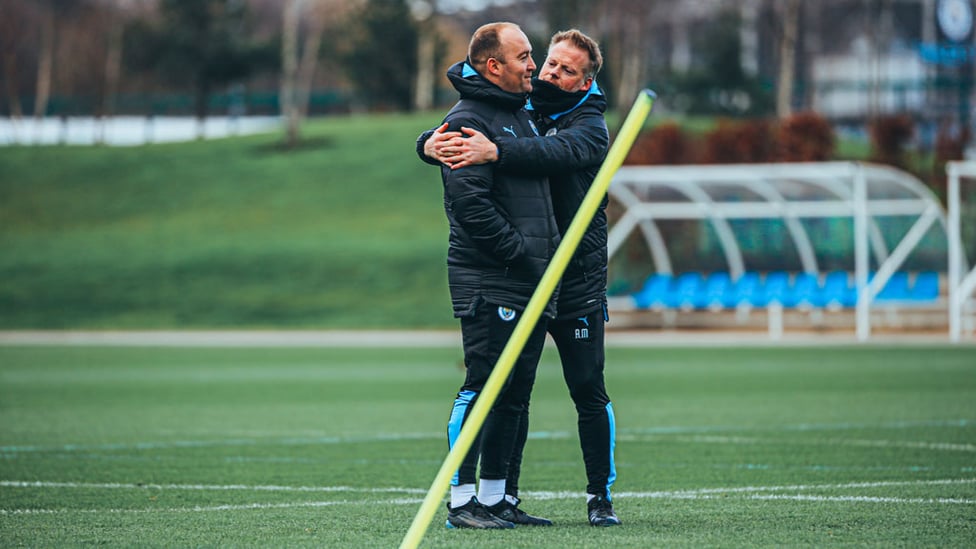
pixel 346 231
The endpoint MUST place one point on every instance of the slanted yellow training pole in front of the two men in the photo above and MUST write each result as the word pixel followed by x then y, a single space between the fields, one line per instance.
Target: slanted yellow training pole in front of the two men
pixel 570 241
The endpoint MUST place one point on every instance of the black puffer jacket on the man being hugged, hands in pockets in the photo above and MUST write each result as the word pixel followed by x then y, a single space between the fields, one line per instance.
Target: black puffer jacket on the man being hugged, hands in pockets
pixel 503 231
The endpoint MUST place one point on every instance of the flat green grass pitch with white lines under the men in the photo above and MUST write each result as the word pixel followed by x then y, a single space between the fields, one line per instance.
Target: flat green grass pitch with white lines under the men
pixel 332 447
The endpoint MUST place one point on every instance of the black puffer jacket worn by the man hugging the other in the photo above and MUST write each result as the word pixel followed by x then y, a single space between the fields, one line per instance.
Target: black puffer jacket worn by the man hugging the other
pixel 571 155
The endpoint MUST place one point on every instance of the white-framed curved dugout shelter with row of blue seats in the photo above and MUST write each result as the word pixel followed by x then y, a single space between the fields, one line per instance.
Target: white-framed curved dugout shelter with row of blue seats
pixel 813 237
